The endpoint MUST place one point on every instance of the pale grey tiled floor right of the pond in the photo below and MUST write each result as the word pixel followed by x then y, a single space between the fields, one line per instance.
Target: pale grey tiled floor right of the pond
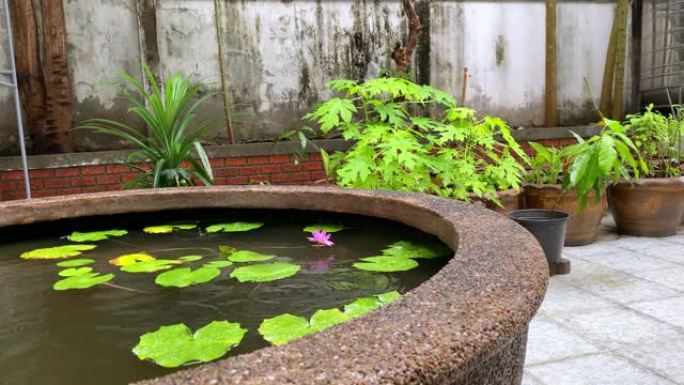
pixel 617 318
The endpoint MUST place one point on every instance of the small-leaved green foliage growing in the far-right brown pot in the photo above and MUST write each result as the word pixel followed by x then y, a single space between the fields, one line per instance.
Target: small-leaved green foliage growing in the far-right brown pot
pixel 658 140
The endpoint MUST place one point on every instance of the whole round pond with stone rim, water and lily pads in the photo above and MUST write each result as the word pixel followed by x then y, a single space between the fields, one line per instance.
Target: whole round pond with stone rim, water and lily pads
pixel 339 281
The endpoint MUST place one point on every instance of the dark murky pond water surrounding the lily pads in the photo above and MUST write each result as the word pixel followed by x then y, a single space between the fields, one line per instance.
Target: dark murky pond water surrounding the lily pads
pixel 86 336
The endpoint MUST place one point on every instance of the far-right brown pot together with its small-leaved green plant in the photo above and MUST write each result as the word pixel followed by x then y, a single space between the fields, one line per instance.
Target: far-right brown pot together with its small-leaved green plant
pixel 652 204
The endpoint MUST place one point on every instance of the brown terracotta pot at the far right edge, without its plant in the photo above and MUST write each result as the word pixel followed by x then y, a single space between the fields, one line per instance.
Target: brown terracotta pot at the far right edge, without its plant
pixel 648 207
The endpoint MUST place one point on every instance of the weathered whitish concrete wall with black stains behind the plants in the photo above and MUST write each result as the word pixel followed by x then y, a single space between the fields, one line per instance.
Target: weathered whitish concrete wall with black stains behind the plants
pixel 279 54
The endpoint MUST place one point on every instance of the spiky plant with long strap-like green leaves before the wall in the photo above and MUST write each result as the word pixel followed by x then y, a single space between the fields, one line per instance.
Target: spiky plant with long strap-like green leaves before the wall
pixel 168 112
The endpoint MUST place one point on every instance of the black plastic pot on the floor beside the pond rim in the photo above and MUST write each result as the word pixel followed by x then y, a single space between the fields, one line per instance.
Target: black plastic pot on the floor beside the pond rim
pixel 549 228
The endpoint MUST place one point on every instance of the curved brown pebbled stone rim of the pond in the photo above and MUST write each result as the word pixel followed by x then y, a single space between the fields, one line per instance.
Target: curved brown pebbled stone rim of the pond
pixel 467 324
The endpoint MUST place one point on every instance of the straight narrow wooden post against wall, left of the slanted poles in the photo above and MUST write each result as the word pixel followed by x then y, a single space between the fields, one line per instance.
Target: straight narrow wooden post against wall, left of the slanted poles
pixel 550 92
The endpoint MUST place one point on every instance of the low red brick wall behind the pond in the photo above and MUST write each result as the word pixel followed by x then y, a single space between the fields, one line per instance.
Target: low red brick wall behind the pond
pixel 273 169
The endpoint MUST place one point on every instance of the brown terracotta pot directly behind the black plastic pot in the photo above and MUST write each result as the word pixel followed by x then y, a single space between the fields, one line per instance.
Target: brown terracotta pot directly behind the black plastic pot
pixel 583 225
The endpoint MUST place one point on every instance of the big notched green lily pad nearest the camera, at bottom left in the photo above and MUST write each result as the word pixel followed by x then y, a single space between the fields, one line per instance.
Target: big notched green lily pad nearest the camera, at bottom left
pixel 175 345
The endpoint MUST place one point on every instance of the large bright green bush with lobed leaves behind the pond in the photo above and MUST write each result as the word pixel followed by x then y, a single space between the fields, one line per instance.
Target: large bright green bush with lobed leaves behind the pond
pixel 399 144
